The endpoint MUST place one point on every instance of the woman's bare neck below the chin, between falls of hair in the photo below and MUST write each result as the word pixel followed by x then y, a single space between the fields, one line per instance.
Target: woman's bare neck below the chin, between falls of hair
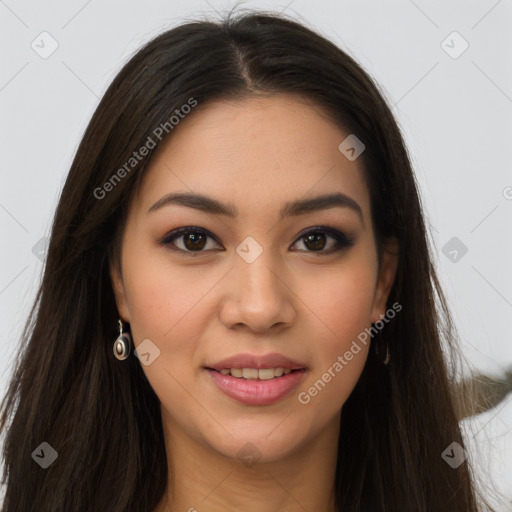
pixel 203 479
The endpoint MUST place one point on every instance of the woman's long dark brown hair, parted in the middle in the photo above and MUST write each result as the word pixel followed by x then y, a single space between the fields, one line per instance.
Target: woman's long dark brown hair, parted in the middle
pixel 102 417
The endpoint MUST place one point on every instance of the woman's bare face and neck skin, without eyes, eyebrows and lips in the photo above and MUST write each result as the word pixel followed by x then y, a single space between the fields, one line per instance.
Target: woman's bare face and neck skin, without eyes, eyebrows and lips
pixel 256 154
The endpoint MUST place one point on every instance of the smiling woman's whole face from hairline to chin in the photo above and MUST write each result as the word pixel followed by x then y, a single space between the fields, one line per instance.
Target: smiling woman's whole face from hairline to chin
pixel 268 276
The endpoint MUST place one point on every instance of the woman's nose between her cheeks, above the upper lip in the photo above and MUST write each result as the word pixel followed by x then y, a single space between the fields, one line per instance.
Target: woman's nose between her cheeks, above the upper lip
pixel 257 297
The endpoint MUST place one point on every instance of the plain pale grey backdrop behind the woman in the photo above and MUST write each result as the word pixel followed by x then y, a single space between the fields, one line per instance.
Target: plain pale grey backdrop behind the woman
pixel 455 112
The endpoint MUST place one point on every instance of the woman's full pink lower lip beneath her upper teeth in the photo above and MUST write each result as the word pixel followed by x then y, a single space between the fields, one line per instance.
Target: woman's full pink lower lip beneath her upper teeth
pixel 257 392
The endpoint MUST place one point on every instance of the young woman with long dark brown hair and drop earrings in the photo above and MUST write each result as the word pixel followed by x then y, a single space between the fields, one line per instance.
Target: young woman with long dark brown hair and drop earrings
pixel 242 212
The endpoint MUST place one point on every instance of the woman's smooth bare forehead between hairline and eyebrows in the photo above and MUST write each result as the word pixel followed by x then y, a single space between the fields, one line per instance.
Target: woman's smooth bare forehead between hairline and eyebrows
pixel 256 153
